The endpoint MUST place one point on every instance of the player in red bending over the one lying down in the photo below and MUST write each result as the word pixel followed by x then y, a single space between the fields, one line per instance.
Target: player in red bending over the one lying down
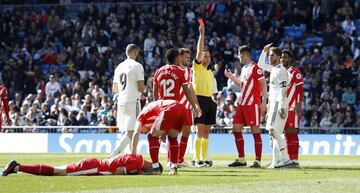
pixel 157 119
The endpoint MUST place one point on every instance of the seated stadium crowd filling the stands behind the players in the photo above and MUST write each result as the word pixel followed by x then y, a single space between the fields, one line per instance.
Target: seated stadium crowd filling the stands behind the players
pixel 59 70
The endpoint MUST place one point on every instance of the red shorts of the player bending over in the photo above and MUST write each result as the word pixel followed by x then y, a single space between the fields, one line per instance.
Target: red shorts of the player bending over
pixel 172 117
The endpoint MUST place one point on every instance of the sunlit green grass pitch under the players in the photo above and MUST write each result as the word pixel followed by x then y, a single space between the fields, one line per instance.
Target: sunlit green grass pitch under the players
pixel 318 174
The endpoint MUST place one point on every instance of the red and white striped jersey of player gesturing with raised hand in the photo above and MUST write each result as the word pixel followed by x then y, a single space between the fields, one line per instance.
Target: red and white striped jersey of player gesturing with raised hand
pixel 250 89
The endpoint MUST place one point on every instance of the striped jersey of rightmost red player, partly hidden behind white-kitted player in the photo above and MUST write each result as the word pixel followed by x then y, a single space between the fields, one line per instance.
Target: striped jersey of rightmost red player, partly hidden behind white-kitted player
pixel 295 91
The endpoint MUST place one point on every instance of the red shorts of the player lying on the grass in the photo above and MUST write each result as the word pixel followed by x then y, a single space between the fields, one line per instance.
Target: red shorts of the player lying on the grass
pixel 88 167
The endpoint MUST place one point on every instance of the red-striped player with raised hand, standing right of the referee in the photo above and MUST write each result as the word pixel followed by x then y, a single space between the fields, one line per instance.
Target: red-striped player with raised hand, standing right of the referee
pixel 250 105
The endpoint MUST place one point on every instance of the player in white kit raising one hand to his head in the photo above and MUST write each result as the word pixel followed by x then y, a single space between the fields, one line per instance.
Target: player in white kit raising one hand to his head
pixel 278 104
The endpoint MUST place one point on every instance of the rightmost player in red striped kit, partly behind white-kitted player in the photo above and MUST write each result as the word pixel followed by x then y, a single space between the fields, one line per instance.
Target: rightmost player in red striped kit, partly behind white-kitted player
pixel 295 97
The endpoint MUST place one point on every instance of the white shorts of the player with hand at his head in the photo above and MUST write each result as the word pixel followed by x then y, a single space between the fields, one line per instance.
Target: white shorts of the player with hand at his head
pixel 273 119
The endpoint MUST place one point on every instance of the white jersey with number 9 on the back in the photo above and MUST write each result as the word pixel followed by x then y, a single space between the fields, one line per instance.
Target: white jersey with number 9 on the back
pixel 126 75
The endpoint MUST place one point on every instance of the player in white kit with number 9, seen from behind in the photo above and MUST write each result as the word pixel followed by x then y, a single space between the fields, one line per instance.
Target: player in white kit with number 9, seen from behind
pixel 128 84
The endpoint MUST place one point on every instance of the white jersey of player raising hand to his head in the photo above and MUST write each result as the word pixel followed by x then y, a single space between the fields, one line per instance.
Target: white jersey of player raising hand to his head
pixel 278 81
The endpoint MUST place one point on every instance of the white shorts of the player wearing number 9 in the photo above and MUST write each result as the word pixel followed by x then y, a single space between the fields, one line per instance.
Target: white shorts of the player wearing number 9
pixel 126 116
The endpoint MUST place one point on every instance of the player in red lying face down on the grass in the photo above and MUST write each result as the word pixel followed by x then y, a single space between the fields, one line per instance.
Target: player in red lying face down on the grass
pixel 122 164
